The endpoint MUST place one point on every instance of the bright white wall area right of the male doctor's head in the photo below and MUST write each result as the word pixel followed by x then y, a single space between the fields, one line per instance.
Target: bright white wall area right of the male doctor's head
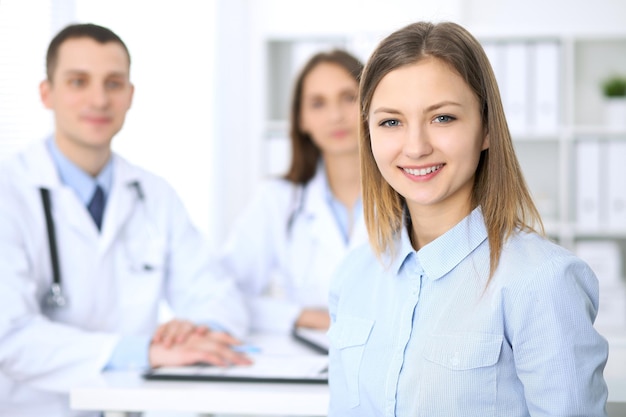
pixel 170 127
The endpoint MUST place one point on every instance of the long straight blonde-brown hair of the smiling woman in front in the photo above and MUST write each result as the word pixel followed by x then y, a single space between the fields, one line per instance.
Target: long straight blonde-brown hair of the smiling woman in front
pixel 499 186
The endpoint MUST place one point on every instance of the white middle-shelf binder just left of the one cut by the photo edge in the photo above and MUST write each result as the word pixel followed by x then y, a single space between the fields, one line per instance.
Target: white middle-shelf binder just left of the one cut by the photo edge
pixel 588 195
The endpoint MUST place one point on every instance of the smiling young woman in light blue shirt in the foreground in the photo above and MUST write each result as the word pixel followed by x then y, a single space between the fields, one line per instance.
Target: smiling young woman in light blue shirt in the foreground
pixel 459 306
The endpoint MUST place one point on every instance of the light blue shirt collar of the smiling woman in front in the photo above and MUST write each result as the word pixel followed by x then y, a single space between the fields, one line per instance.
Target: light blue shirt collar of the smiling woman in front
pixel 444 253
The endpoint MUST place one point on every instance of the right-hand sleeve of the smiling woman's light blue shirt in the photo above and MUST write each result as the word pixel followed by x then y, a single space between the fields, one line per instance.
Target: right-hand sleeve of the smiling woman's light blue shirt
pixel 559 356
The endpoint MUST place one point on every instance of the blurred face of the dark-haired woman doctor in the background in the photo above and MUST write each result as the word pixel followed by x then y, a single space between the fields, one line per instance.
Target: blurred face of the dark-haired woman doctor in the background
pixel 329 110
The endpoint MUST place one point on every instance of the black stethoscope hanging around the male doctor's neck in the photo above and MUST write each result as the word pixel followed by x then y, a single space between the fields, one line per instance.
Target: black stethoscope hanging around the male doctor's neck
pixel 55 298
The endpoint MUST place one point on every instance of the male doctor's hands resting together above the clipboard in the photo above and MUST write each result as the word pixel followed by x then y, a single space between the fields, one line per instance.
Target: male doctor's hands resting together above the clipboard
pixel 215 348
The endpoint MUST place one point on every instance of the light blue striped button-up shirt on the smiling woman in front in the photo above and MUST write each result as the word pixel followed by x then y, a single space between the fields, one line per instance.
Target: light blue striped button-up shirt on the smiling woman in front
pixel 424 336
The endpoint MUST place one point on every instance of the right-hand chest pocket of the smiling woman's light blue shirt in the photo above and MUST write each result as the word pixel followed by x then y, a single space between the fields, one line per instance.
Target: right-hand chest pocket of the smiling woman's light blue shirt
pixel 464 367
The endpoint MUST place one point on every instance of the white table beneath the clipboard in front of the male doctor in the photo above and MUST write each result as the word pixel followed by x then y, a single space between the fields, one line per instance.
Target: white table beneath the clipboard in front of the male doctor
pixel 129 392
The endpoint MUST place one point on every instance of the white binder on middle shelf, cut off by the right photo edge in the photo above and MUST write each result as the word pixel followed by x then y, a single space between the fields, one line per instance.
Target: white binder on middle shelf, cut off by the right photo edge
pixel 616 188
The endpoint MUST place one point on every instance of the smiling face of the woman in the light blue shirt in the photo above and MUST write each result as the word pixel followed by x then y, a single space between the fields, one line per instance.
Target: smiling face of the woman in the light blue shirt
pixel 427 135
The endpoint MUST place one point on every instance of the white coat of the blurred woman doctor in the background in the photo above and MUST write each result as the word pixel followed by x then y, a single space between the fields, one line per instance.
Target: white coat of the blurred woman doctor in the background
pixel 284 249
